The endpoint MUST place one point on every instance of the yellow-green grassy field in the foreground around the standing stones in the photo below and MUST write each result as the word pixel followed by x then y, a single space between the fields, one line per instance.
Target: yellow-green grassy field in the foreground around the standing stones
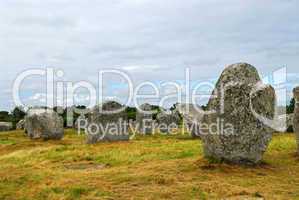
pixel 148 167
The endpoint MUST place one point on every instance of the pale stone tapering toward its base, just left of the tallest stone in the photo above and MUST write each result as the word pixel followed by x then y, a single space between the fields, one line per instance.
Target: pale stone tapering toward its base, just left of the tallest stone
pixel 192 118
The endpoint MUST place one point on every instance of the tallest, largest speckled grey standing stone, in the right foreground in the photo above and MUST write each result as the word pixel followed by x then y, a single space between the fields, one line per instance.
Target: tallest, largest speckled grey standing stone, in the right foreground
pixel 236 133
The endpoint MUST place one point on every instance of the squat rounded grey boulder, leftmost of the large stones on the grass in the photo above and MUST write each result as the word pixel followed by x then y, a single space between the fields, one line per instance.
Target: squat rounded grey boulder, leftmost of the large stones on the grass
pixel 44 124
